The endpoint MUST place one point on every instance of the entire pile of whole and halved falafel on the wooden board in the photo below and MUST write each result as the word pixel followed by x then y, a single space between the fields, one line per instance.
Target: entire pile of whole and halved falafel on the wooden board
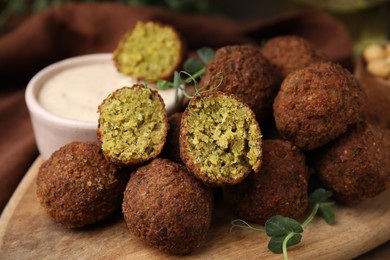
pixel 280 113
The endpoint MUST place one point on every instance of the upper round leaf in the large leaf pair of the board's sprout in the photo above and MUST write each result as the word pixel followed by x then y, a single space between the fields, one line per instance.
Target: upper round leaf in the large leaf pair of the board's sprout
pixel 281 226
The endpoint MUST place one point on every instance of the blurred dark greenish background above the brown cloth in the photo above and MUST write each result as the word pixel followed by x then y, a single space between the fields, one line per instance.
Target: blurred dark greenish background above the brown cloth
pixel 368 21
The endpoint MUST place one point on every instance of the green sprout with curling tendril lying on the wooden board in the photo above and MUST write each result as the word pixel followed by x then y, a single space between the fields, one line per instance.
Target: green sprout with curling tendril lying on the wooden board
pixel 284 231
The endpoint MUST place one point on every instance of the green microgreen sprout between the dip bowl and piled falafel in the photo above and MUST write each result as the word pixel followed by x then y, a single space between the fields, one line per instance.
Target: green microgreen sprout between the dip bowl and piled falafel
pixel 193 70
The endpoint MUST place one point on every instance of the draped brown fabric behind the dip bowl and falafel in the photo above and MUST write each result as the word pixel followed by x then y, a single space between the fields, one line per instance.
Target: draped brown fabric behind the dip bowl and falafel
pixel 74 29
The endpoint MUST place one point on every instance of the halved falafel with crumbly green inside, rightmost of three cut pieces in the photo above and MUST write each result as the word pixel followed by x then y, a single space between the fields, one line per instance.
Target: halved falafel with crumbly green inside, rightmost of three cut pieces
pixel 220 139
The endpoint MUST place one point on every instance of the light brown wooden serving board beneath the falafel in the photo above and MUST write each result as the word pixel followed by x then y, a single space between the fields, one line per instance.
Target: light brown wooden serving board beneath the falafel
pixel 26 232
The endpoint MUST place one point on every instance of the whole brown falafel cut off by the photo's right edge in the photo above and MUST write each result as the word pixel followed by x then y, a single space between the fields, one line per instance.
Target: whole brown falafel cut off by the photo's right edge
pixel 356 165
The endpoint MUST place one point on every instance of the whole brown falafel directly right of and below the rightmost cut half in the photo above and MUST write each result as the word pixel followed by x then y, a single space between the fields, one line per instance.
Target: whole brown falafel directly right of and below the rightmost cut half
pixel 280 188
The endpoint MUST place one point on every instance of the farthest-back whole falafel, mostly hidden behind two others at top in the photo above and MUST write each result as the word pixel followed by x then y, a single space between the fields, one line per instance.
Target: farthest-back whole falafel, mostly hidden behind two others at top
pixel 289 52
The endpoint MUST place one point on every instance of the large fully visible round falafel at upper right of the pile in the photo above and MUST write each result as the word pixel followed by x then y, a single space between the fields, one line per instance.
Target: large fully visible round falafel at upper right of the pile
pixel 316 104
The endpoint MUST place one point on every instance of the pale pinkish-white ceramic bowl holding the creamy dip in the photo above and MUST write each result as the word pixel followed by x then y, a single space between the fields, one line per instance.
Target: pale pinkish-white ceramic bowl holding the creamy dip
pixel 52 131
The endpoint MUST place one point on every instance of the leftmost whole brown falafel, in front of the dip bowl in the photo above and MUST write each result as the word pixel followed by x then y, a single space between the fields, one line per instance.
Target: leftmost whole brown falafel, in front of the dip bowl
pixel 77 186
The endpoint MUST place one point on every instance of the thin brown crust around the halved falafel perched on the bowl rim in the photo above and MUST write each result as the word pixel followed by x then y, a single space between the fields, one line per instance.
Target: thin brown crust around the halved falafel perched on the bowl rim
pixel 169 74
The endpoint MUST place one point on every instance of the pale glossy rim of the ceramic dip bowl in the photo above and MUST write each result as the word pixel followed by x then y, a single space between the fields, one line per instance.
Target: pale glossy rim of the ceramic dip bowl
pixel 35 84
